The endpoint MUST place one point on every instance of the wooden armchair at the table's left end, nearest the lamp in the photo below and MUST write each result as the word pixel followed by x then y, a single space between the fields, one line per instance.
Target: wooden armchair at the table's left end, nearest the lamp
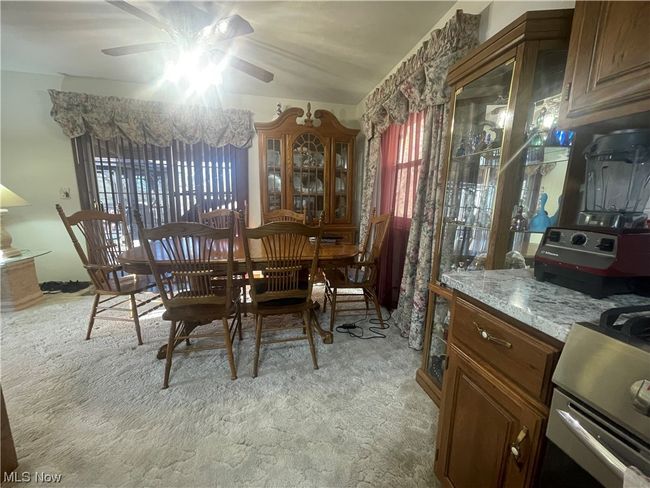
pixel 106 236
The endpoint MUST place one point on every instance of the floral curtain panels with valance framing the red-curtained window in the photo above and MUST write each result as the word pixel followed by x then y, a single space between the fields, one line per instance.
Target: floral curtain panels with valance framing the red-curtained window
pixel 418 84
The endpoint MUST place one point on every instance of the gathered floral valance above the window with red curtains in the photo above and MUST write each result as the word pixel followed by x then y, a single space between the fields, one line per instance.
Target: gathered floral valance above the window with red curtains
pixel 420 81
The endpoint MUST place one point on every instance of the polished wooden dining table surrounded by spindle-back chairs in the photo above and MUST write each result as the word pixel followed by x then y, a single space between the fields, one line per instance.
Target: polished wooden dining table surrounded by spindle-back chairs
pixel 330 255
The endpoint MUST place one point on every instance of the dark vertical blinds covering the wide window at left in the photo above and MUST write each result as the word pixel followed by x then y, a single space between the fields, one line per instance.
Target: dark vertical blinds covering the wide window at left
pixel 166 184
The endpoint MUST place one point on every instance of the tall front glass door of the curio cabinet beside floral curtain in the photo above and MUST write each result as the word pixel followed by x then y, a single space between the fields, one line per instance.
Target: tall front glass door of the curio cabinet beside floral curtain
pixel 480 112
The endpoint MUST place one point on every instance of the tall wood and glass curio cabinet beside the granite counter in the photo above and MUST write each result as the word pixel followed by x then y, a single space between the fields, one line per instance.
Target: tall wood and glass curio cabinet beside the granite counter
pixel 506 167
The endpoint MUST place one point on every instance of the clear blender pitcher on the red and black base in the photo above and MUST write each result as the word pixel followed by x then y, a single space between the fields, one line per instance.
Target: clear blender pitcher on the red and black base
pixel 617 180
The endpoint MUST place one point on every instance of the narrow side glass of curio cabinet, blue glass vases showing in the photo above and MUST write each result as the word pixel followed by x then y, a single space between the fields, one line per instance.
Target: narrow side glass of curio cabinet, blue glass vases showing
pixel 545 161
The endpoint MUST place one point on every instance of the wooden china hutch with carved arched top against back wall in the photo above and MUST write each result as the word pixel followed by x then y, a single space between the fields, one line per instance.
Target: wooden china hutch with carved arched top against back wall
pixel 307 165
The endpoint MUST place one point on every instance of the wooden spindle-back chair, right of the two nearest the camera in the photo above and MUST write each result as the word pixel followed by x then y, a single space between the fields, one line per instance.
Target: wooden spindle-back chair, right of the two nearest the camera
pixel 285 285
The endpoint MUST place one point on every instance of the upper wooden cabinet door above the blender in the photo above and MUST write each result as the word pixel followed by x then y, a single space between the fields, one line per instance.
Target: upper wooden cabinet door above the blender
pixel 608 67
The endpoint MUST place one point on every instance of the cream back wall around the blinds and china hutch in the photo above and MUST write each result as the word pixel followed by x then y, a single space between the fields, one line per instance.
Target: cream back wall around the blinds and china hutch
pixel 36 158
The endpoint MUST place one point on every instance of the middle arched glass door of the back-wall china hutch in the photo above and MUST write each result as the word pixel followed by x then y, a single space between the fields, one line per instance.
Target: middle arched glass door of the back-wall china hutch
pixel 308 193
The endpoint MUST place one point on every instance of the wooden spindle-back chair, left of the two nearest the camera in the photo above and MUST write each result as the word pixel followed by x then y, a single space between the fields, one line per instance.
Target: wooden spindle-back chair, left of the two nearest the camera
pixel 185 265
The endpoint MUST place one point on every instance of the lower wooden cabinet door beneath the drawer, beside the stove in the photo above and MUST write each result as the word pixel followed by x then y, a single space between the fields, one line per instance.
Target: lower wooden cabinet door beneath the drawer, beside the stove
pixel 482 424
